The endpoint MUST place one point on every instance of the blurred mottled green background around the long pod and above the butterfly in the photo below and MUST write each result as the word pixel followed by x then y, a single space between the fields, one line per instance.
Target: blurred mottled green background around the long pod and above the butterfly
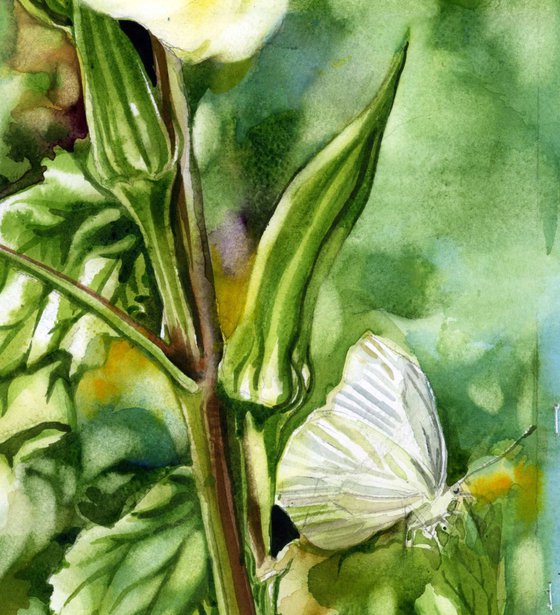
pixel 455 255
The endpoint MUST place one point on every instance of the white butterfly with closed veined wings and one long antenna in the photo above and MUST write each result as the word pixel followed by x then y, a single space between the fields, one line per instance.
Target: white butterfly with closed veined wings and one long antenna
pixel 373 455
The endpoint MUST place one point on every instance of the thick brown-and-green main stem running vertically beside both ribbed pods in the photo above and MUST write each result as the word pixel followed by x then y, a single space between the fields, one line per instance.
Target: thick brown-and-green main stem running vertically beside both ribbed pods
pixel 206 422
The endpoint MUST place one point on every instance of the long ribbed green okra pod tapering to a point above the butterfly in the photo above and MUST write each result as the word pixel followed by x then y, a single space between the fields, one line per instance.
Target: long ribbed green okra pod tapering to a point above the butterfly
pixel 266 357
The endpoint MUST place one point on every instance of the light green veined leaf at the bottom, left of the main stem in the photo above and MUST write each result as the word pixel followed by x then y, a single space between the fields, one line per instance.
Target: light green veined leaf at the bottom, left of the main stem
pixel 153 560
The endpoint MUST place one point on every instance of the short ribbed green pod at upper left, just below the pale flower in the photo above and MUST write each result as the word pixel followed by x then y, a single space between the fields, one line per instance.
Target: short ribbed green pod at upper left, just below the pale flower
pixel 128 135
